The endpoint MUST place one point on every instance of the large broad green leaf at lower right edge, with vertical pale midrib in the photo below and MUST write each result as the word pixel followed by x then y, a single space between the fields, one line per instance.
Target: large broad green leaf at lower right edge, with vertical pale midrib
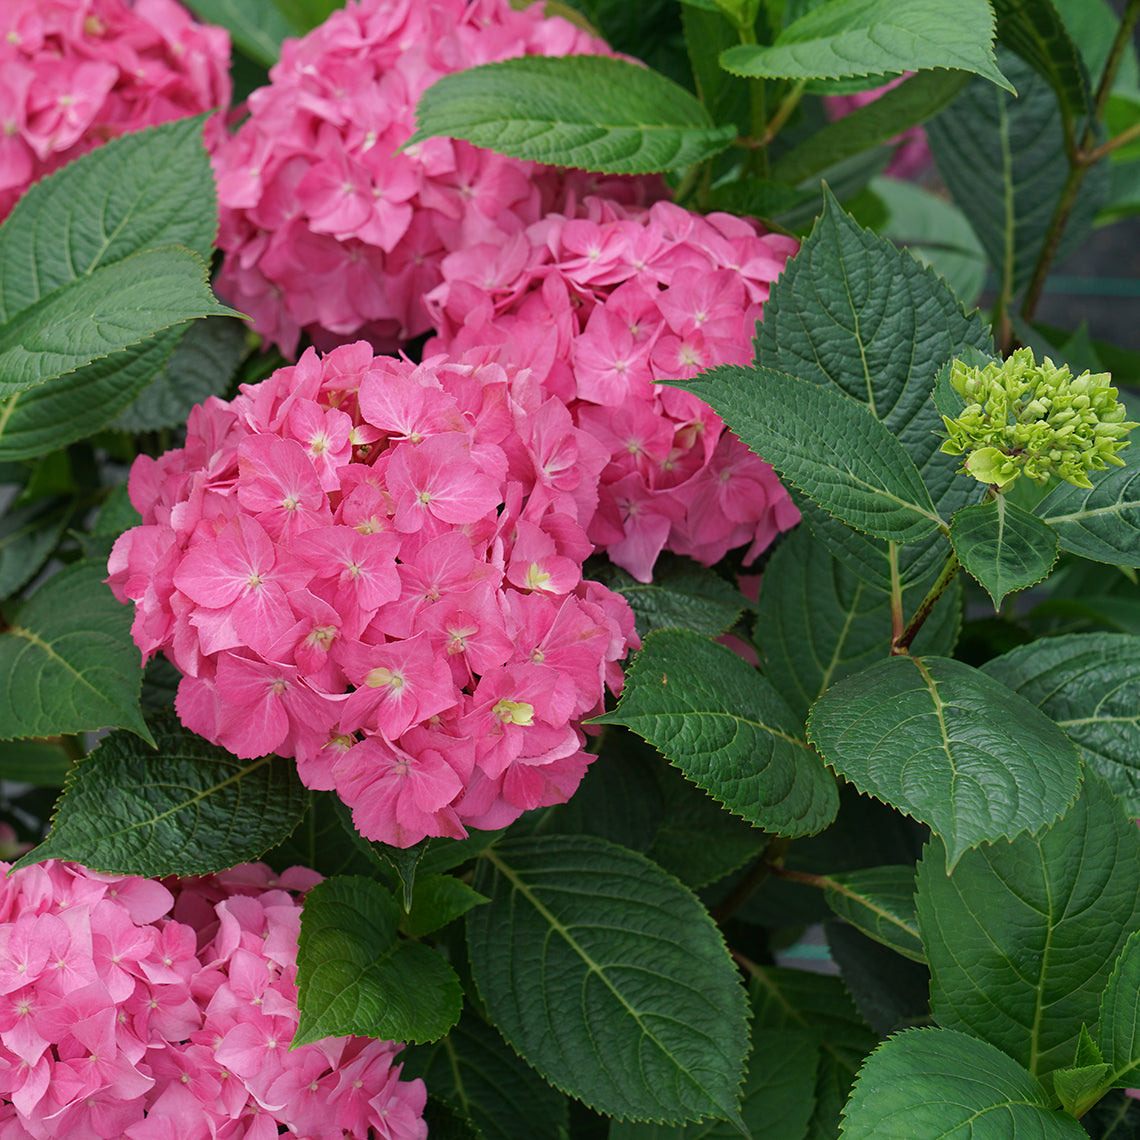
pixel 1022 938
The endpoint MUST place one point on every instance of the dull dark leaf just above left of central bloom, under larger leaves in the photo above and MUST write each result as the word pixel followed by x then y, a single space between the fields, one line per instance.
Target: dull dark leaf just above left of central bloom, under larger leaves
pixel 202 365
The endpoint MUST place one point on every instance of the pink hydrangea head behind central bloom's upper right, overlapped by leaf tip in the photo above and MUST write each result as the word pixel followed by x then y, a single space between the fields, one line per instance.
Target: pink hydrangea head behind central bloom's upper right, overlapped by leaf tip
pixel 601 306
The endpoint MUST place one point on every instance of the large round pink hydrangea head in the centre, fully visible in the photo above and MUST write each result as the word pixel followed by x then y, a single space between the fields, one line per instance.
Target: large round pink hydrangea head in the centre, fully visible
pixel 376 567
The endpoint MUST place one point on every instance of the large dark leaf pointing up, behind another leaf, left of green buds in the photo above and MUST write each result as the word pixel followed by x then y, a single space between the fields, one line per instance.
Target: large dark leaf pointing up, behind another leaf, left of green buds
pixel 853 313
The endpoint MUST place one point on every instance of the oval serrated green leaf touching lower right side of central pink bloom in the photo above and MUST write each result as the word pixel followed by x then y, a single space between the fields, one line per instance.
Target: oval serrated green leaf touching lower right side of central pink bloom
pixel 719 721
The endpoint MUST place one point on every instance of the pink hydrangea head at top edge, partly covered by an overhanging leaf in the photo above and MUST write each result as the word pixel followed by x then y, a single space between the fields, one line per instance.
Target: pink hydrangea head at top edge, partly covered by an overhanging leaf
pixel 328 226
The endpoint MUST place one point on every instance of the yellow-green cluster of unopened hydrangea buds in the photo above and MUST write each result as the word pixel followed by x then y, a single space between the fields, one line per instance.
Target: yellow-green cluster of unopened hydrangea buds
pixel 1038 420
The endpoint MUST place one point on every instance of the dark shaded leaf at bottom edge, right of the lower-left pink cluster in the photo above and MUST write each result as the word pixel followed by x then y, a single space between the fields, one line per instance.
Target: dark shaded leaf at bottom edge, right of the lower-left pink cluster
pixel 475 1071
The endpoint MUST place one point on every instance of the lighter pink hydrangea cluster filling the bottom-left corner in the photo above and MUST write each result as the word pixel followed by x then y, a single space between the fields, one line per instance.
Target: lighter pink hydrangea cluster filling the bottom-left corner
pixel 137 1011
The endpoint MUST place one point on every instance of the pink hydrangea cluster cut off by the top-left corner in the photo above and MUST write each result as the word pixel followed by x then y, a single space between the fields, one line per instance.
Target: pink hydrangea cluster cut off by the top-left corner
pixel 75 74
